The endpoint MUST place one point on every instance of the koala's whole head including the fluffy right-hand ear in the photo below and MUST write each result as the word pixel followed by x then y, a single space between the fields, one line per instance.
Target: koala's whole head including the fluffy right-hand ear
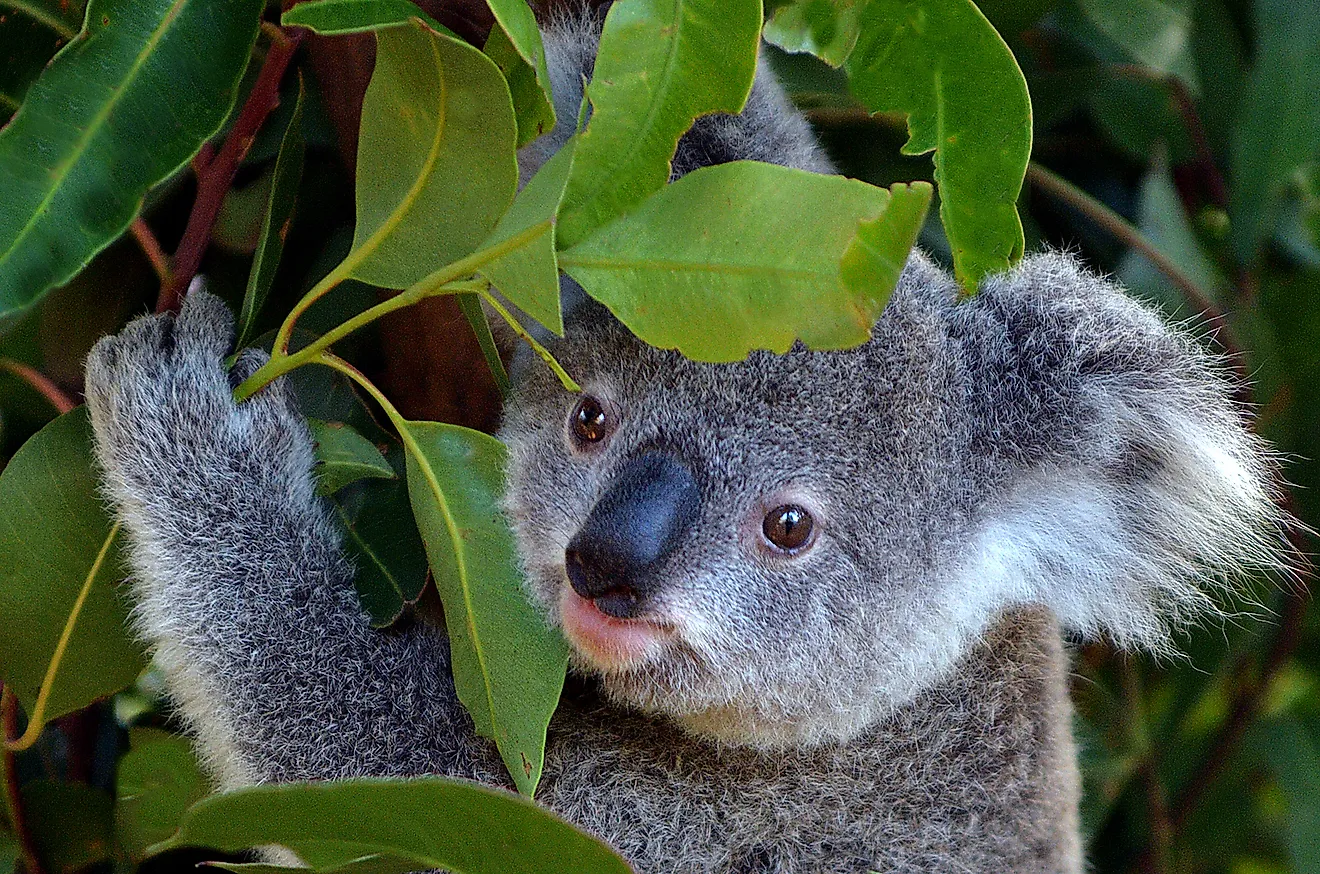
pixel 785 550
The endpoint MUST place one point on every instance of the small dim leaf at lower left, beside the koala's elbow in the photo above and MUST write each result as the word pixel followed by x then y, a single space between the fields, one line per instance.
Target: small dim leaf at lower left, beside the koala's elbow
pixel 155 785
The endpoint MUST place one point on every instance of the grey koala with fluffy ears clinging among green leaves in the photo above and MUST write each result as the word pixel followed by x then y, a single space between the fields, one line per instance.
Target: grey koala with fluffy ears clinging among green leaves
pixel 814 600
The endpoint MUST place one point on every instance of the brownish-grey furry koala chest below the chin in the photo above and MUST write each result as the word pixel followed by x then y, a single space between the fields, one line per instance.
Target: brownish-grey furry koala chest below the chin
pixel 977 776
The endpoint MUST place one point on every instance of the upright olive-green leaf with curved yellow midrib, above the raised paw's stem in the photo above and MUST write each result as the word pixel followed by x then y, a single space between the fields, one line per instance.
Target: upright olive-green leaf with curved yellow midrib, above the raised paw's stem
pixel 436 163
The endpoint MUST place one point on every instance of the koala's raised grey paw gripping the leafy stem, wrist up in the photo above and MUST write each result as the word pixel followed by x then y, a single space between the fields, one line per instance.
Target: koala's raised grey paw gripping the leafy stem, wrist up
pixel 162 402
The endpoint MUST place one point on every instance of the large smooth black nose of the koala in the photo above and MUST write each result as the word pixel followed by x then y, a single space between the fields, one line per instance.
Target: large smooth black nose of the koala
pixel 632 531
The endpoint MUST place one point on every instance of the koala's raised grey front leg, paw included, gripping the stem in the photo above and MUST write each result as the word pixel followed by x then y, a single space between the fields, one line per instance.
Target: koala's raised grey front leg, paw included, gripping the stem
pixel 241 586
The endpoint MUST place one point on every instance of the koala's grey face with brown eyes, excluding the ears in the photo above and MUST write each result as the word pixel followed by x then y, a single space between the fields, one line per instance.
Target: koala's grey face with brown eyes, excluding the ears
pixel 753 550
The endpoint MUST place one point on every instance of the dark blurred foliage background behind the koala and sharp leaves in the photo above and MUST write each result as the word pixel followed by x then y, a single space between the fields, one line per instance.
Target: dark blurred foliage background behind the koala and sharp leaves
pixel 1194 122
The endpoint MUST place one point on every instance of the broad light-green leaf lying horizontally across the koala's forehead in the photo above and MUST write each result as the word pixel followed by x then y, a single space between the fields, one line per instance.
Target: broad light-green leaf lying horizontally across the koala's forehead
pixel 679 273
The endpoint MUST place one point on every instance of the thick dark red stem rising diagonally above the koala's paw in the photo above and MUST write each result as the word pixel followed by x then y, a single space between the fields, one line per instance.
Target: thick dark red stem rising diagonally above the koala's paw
pixel 217 176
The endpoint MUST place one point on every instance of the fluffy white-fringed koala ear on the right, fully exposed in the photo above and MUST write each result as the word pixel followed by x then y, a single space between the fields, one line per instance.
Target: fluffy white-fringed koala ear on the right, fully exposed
pixel 1136 489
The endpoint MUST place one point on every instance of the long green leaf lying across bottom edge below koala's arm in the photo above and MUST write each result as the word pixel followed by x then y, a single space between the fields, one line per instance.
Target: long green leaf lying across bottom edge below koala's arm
pixel 431 823
